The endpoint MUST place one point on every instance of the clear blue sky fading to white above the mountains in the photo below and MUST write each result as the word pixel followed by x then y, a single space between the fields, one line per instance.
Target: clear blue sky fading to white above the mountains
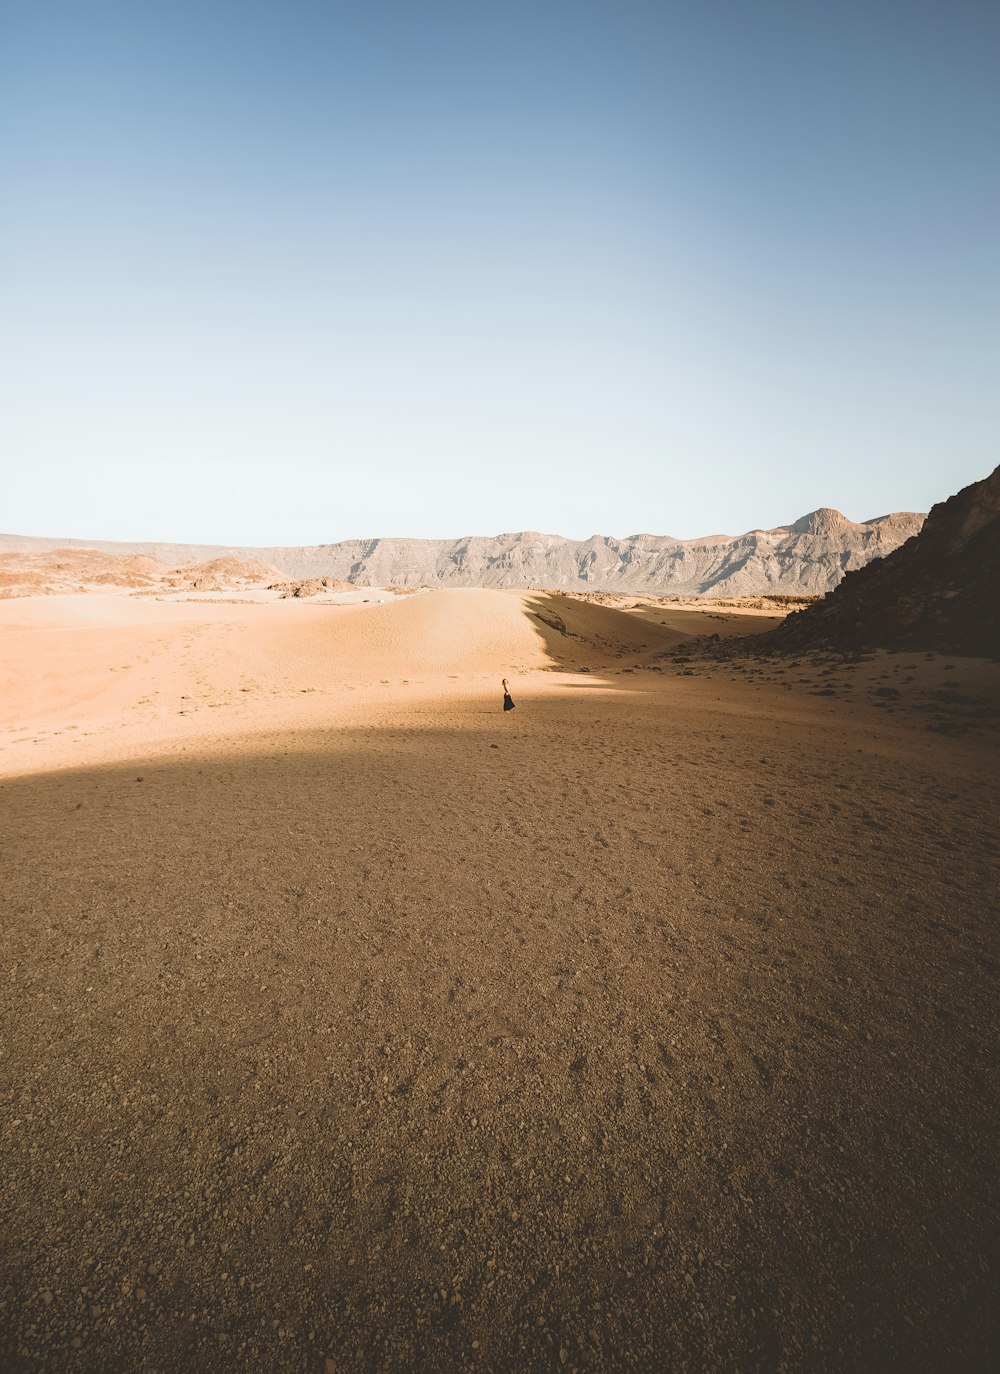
pixel 296 273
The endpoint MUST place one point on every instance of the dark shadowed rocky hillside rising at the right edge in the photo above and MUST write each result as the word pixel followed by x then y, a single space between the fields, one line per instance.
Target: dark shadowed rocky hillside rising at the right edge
pixel 940 592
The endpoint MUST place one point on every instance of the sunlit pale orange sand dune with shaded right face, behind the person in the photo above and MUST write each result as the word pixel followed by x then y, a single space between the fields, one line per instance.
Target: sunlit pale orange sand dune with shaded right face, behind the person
pixel 137 670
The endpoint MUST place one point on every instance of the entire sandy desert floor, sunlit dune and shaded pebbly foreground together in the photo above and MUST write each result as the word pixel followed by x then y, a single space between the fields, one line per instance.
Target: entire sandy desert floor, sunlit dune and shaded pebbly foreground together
pixel 351 1024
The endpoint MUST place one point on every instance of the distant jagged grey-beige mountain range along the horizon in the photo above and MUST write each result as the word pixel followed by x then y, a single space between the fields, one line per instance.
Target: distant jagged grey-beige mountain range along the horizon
pixel 807 559
